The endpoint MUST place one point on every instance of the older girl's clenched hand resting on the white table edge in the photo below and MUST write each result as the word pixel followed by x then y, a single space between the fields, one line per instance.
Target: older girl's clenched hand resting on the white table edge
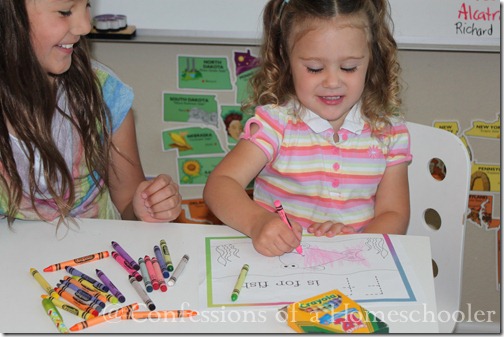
pixel 157 200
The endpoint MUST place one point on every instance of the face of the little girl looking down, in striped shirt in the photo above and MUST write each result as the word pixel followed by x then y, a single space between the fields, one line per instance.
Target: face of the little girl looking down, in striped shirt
pixel 329 62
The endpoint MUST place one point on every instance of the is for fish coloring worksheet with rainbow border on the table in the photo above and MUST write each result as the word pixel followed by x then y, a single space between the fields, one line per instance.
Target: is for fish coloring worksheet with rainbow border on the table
pixel 366 267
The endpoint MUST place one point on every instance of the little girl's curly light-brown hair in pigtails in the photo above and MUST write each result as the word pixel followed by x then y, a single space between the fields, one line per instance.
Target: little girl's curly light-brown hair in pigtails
pixel 273 83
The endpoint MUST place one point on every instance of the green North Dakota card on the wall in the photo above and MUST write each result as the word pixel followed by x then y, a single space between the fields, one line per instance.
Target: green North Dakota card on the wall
pixel 204 73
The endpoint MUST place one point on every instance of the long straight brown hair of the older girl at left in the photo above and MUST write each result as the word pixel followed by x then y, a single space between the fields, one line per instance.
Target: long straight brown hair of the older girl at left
pixel 28 104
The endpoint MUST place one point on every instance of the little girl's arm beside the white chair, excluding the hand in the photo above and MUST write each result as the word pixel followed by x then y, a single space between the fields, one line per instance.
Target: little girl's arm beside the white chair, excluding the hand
pixel 392 208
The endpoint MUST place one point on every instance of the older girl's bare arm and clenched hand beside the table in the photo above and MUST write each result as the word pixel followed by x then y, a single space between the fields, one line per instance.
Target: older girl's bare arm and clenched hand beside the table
pixel 157 200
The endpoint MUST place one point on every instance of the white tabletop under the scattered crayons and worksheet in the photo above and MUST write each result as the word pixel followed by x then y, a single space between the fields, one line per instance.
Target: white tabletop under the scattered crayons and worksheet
pixel 35 244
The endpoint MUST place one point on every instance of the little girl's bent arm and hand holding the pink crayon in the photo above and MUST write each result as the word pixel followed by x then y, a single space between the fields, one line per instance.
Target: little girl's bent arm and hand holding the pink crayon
pixel 225 195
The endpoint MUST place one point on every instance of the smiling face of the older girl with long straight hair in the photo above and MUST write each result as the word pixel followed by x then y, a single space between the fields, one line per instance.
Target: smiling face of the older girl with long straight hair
pixel 56 25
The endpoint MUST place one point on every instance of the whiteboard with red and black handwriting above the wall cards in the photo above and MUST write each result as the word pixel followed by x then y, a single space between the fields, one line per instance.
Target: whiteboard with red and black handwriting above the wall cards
pixel 464 24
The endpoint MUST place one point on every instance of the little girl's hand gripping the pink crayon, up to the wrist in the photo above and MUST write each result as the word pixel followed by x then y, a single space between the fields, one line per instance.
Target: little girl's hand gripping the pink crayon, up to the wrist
pixel 273 237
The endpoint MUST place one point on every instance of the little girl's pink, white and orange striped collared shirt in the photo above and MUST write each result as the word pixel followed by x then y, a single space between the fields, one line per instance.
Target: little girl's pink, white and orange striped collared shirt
pixel 316 178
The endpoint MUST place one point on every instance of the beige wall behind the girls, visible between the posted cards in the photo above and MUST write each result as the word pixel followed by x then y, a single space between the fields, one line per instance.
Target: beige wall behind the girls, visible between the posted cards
pixel 454 86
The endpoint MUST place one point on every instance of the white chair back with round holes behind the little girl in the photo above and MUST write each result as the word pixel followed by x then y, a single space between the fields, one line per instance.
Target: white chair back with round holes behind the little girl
pixel 438 210
